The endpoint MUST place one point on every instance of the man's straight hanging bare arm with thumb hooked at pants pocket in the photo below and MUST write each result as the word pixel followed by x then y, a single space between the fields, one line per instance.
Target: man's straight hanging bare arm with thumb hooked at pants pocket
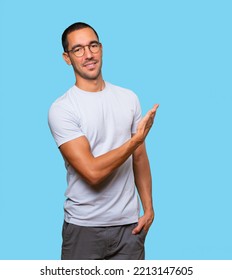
pixel 143 183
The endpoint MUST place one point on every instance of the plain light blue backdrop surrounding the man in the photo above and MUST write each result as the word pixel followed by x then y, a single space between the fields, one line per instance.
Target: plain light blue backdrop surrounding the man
pixel 175 53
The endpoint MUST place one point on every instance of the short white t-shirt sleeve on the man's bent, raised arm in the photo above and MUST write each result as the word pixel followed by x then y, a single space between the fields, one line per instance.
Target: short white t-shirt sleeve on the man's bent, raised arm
pixel 64 124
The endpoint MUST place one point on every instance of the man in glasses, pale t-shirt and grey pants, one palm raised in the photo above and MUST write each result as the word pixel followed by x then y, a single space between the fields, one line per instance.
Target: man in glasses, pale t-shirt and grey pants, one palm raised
pixel 99 131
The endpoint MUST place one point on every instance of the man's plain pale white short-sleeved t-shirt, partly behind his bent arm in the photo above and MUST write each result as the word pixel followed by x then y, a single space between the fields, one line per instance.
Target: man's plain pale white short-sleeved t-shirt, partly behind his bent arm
pixel 107 119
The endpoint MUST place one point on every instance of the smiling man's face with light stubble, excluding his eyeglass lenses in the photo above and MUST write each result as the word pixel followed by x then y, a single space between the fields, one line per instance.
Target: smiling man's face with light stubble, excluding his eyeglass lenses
pixel 89 65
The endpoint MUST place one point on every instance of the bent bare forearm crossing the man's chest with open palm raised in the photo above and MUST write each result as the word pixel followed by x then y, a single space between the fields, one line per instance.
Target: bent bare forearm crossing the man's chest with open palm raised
pixel 95 169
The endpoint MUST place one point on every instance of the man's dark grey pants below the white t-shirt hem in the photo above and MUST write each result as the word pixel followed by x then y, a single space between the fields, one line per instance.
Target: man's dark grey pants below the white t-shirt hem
pixel 99 243
